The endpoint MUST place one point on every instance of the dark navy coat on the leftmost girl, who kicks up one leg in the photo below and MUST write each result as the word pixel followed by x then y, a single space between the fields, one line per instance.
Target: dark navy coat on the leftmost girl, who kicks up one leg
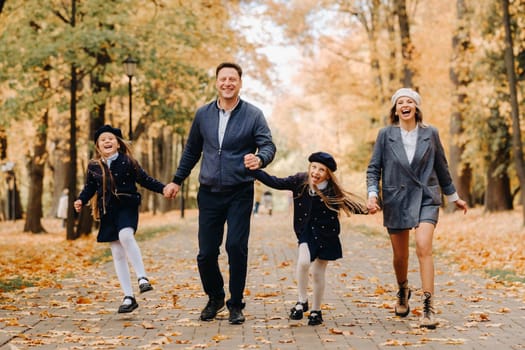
pixel 122 200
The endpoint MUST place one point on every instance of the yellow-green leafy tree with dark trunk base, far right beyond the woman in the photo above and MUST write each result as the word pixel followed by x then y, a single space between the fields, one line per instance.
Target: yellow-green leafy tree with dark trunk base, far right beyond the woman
pixel 488 128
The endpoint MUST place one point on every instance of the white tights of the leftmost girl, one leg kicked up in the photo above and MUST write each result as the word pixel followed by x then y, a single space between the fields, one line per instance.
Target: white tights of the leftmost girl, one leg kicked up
pixel 126 248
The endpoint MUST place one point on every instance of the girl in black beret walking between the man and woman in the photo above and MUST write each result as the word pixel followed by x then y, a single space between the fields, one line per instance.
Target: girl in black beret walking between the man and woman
pixel 317 198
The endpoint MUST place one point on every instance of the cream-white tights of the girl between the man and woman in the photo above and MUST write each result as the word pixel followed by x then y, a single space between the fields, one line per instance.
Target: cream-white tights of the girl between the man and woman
pixel 318 276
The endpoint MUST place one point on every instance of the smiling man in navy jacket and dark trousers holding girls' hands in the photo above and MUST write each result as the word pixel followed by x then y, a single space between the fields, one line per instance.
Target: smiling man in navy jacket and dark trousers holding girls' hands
pixel 227 132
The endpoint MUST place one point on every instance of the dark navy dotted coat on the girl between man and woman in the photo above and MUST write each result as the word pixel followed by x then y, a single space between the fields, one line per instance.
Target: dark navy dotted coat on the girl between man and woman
pixel 314 222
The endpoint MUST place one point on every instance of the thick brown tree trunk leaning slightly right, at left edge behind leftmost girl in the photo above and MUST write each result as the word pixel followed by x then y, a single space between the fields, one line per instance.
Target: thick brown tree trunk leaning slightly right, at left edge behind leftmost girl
pixel 36 166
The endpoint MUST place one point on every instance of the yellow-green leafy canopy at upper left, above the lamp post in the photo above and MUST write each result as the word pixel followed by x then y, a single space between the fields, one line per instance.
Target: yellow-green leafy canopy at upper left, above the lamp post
pixel 175 47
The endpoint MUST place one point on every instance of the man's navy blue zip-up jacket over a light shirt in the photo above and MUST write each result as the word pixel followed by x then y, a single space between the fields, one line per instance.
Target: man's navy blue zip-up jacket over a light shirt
pixel 222 167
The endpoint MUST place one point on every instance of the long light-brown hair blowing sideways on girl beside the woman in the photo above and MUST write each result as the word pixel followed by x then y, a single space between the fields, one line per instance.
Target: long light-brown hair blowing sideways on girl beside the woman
pixel 338 198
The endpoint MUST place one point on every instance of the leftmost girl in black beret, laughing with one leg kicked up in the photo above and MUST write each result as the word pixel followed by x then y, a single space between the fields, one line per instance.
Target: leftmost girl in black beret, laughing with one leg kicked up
pixel 111 187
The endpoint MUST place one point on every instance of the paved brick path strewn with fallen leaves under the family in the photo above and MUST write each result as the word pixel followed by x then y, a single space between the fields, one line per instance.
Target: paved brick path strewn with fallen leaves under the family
pixel 474 313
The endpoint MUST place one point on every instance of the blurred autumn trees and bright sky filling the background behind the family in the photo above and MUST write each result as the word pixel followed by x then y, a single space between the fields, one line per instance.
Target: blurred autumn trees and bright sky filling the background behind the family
pixel 334 94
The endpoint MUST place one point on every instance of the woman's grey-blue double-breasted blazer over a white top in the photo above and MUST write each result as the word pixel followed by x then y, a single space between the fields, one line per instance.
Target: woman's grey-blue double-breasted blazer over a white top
pixel 407 187
